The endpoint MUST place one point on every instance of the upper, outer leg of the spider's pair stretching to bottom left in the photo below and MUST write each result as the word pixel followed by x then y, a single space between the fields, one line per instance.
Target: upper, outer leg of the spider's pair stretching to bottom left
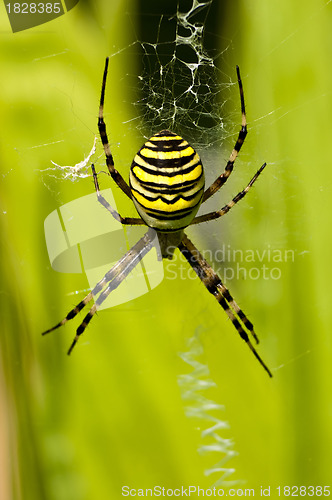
pixel 122 264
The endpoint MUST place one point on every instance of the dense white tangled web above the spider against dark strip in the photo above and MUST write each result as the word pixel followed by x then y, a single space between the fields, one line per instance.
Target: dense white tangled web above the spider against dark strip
pixel 180 82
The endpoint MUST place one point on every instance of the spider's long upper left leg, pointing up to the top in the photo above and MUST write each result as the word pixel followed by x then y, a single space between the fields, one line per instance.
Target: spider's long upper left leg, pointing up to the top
pixel 116 176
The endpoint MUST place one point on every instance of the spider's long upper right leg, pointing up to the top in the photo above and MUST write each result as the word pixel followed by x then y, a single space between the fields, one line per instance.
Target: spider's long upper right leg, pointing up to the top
pixel 220 181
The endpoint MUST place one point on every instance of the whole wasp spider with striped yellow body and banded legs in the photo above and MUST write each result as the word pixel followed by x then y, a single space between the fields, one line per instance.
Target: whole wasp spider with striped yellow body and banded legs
pixel 166 184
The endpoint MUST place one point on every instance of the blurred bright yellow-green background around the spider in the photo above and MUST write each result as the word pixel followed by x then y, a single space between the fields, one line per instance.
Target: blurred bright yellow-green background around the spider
pixel 112 413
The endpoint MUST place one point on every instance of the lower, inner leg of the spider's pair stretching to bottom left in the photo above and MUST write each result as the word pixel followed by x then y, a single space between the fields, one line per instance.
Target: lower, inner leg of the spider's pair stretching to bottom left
pixel 133 257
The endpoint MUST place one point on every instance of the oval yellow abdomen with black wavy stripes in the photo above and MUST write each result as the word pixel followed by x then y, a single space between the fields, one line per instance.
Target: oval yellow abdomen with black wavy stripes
pixel 167 182
